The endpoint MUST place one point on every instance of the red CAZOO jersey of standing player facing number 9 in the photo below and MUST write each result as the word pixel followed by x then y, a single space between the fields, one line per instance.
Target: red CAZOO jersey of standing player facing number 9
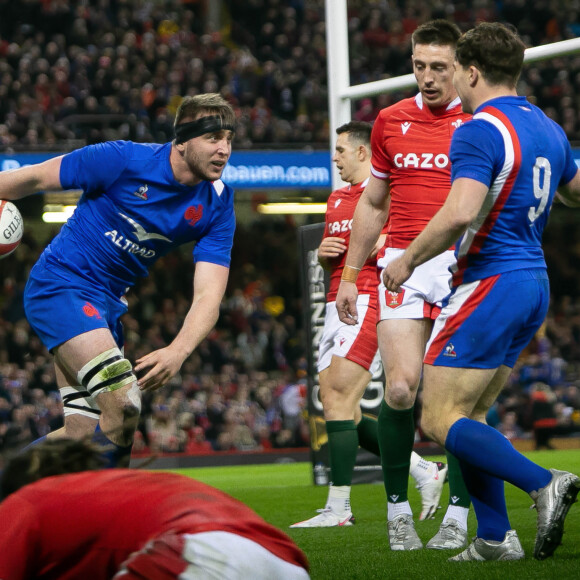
pixel 410 146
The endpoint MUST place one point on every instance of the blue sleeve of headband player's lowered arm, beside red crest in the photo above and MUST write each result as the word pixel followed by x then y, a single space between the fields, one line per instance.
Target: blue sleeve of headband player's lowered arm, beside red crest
pixel 216 246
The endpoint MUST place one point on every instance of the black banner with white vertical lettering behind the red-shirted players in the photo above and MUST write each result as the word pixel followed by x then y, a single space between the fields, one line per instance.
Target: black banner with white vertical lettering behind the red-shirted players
pixel 314 287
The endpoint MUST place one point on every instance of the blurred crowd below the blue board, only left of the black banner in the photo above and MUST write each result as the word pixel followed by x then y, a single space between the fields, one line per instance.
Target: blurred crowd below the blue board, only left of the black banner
pixel 244 389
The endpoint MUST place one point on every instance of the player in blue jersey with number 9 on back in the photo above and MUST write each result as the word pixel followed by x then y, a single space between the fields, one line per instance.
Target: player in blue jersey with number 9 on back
pixel 506 166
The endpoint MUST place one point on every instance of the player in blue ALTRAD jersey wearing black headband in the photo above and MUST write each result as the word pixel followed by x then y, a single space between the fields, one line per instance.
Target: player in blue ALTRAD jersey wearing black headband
pixel 139 202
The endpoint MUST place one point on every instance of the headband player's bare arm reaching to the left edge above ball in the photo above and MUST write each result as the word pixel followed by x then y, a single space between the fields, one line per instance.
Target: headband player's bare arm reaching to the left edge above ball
pixel 18 183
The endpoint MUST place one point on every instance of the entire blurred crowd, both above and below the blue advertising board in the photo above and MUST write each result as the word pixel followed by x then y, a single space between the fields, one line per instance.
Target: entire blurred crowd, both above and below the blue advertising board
pixel 74 72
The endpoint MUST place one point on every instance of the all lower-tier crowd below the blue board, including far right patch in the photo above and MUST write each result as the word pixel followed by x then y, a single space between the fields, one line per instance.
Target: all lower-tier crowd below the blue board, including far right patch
pixel 244 389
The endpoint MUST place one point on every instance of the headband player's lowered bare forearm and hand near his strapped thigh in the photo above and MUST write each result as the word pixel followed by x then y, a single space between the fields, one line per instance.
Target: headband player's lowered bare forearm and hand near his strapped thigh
pixel 209 285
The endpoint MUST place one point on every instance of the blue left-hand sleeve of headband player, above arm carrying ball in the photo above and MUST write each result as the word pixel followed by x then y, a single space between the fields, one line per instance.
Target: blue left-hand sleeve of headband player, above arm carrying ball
pixel 95 167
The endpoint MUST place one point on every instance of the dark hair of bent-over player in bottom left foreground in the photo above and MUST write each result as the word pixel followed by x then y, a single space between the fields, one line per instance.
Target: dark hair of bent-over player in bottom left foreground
pixel 51 457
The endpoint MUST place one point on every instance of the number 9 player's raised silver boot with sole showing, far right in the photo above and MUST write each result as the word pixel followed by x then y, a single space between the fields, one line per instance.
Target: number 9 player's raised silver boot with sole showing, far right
pixel 553 502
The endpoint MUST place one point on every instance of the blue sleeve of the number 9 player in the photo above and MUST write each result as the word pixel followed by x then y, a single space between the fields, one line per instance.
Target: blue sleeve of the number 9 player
pixel 476 152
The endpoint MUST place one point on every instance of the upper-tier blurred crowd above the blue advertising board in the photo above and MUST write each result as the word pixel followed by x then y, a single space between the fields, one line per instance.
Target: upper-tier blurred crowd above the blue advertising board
pixel 73 71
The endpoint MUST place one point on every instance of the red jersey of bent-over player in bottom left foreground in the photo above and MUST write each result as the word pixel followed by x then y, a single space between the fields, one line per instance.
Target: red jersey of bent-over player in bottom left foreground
pixel 84 525
